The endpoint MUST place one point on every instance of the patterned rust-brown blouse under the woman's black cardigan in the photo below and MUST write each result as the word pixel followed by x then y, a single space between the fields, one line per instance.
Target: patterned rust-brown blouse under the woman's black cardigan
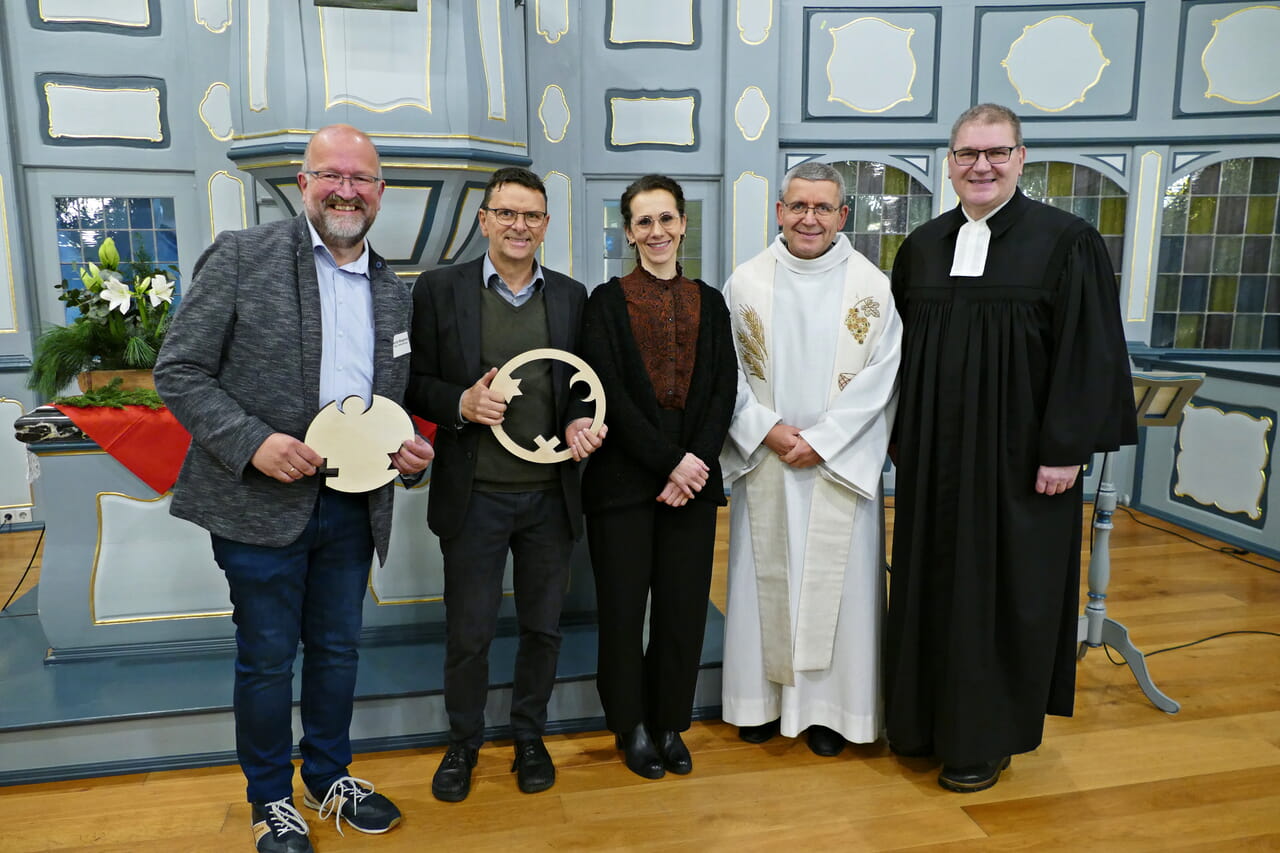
pixel 665 325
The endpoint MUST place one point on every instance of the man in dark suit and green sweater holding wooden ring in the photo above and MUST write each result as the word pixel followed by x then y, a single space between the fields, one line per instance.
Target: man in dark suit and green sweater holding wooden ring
pixel 468 322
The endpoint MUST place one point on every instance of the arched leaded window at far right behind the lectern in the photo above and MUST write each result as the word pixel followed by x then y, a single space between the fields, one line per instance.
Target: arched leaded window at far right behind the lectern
pixel 1219 276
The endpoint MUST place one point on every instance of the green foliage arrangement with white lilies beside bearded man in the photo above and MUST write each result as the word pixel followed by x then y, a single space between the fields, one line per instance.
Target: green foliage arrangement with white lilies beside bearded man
pixel 121 325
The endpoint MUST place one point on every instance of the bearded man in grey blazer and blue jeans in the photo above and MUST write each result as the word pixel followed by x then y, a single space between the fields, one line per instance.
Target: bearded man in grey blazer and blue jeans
pixel 282 320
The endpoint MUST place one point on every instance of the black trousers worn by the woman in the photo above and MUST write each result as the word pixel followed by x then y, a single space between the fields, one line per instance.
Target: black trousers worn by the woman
pixel 666 554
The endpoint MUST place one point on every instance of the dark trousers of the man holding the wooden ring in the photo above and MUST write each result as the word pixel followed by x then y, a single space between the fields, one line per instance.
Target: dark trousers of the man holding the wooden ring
pixel 534 527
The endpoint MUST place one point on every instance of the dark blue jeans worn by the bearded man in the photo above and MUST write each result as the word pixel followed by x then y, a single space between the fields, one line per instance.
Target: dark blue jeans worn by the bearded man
pixel 310 591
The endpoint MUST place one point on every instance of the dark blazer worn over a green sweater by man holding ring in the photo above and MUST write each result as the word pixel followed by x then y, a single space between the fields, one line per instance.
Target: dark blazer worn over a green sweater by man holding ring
pixel 446 362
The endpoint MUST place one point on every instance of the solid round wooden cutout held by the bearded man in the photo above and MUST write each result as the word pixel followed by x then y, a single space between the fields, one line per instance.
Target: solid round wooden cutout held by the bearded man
pixel 358 443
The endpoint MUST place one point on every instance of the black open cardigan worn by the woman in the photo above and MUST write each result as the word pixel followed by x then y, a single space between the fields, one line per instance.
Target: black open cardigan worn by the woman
pixel 632 467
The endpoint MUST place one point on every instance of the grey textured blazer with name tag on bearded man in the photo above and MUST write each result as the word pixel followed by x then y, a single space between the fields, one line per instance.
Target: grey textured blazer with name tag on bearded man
pixel 243 362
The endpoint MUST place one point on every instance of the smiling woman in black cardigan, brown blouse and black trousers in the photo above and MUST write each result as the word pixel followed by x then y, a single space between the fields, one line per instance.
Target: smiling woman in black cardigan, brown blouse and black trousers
pixel 664 350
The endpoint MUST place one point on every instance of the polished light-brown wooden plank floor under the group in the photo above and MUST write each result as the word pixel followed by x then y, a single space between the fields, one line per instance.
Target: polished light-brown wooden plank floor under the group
pixel 1118 777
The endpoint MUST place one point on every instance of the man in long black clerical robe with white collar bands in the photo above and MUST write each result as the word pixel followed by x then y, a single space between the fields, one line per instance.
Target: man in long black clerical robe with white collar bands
pixel 1014 373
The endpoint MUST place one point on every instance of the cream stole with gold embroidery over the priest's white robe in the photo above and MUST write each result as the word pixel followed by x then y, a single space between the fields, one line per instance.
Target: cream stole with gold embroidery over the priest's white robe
pixel 831 513
